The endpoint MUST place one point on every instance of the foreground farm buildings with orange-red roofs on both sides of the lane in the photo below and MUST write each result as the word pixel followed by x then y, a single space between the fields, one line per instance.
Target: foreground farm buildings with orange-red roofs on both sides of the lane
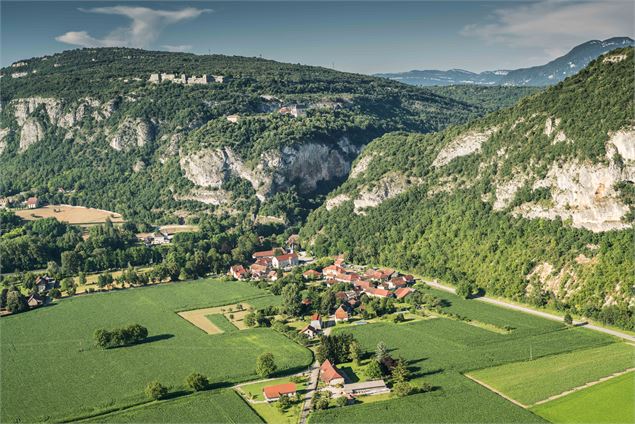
pixel 334 381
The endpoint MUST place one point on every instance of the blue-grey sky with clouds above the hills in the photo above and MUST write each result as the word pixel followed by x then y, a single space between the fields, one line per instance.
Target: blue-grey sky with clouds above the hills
pixel 359 36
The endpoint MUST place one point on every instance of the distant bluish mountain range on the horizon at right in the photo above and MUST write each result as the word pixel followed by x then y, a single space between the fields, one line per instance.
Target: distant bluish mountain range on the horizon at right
pixel 551 73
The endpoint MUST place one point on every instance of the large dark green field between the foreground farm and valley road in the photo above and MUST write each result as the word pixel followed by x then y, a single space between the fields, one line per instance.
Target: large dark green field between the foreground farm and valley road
pixel 439 351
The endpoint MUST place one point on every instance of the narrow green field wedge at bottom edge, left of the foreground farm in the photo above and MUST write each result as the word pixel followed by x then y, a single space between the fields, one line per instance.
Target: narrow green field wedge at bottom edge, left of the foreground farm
pixel 223 406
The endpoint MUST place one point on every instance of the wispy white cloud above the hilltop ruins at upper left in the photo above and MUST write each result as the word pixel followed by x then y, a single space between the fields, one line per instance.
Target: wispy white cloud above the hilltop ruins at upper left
pixel 145 27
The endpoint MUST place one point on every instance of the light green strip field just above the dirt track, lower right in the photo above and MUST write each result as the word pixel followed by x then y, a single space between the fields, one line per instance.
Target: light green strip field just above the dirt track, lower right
pixel 532 381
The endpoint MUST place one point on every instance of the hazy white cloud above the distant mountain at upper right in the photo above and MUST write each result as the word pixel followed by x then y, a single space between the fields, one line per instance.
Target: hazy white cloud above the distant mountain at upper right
pixel 556 26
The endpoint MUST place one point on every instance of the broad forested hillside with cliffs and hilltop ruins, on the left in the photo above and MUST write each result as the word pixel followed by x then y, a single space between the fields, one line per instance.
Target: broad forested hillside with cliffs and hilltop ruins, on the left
pixel 87 127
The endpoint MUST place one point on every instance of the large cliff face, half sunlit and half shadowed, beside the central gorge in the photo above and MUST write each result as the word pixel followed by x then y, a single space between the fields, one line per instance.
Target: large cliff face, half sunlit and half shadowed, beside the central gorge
pixel 304 165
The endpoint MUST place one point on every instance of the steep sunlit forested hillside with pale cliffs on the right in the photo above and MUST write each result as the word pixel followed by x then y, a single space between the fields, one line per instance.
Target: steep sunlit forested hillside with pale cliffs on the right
pixel 534 203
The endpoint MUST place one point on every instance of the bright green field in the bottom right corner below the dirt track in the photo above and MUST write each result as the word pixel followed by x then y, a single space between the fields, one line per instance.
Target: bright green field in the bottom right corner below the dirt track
pixel 610 402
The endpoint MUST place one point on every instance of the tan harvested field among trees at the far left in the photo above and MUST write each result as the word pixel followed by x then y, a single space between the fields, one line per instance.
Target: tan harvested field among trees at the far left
pixel 77 215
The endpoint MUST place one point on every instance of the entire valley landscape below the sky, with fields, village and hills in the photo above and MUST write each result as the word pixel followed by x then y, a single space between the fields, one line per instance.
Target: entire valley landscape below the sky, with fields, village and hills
pixel 213 238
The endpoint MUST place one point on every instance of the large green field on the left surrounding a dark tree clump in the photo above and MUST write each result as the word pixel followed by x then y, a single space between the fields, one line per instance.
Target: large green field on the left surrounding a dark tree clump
pixel 52 348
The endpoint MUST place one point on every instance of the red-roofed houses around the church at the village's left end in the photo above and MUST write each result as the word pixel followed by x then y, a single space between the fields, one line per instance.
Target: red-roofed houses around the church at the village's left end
pixel 266 264
